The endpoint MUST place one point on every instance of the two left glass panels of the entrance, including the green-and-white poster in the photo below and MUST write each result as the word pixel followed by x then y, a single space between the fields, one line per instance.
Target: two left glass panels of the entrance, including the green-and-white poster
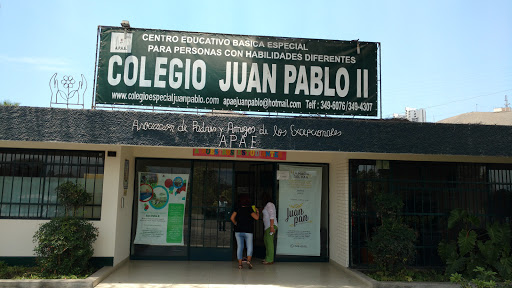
pixel 202 223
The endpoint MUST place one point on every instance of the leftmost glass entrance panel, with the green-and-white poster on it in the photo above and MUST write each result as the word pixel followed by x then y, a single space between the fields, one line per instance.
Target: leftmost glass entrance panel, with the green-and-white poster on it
pixel 161 189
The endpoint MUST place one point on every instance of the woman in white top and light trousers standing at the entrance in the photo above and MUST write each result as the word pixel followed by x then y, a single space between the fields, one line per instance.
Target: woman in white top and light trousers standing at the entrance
pixel 270 225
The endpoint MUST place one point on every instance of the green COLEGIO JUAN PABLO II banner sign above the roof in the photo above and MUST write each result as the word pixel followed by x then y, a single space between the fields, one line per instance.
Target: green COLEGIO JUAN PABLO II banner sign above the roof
pixel 236 72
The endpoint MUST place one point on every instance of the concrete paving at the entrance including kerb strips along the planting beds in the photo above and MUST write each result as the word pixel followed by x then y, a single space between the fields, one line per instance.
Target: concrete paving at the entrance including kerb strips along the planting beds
pixel 213 274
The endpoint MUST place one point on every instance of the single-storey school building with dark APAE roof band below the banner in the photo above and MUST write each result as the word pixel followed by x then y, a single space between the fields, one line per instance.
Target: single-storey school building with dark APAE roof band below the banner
pixel 126 158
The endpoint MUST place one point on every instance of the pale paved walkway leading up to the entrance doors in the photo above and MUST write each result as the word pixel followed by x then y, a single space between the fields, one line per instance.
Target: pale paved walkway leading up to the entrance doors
pixel 181 274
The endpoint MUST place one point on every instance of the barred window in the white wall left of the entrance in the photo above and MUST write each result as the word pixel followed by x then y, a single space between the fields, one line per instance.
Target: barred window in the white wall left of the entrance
pixel 28 179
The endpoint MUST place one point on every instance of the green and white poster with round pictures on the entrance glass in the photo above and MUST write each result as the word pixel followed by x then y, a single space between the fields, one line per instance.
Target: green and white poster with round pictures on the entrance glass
pixel 161 209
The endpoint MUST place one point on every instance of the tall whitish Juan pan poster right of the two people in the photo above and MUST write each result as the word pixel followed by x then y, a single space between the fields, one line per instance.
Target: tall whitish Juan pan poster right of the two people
pixel 300 194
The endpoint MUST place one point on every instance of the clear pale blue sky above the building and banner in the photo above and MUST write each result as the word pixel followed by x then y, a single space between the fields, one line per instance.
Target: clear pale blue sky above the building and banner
pixel 446 56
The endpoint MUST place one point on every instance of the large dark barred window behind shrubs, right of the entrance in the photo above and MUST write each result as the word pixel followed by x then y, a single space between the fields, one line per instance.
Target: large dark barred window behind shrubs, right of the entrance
pixel 430 191
